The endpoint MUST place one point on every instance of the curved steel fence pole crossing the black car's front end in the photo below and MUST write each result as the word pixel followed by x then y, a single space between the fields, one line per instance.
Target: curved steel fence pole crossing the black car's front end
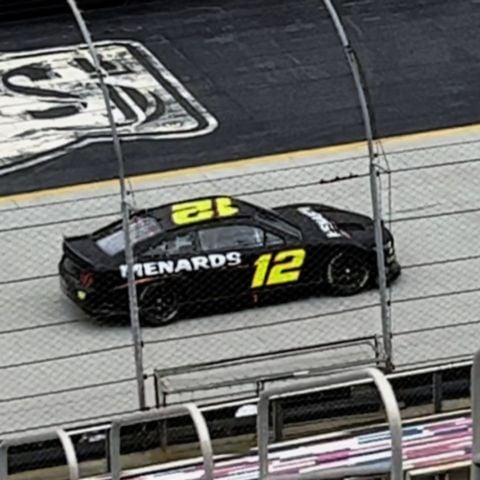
pixel 373 171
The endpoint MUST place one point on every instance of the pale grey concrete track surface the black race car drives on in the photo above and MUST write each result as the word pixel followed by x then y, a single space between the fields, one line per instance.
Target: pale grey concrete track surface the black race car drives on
pixel 58 367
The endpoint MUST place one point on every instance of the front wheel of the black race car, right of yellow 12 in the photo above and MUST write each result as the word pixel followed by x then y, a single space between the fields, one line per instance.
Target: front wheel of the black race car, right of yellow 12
pixel 347 273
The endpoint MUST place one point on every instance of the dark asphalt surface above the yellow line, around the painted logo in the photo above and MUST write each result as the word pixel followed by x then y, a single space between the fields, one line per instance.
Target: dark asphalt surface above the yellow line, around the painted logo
pixel 273 75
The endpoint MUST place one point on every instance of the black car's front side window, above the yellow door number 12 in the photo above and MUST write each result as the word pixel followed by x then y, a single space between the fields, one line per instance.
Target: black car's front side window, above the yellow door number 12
pixel 231 237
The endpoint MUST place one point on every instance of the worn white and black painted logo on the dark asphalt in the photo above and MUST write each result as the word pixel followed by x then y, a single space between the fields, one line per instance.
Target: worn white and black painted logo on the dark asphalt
pixel 51 102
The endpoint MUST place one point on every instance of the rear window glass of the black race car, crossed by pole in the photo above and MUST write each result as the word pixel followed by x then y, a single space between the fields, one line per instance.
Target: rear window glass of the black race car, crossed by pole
pixel 140 229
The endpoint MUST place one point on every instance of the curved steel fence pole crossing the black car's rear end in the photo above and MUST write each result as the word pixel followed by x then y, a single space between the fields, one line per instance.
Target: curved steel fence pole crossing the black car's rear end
pixel 132 291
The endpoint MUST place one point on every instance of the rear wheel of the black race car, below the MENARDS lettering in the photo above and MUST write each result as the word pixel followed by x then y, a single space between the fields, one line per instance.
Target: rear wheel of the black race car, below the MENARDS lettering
pixel 159 306
